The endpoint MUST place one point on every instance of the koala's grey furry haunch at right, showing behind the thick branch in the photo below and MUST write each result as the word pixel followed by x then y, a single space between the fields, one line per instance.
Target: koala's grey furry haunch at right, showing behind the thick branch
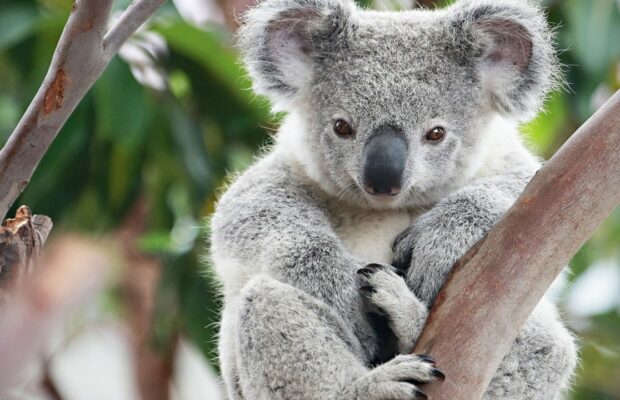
pixel 540 364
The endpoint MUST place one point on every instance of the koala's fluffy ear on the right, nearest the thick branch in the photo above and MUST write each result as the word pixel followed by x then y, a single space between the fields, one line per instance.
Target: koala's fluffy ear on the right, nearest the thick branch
pixel 515 52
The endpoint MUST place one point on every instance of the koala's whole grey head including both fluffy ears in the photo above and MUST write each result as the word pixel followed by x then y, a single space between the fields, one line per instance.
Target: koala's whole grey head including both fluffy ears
pixel 390 105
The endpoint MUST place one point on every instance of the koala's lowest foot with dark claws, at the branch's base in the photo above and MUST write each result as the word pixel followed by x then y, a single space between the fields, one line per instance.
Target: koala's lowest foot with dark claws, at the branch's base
pixel 398 379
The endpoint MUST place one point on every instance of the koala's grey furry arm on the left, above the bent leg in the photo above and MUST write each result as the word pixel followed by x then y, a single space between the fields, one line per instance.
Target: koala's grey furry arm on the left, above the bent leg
pixel 270 223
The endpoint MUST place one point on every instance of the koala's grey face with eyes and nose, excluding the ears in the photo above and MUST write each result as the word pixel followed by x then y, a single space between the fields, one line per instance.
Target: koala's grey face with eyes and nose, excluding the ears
pixel 396 122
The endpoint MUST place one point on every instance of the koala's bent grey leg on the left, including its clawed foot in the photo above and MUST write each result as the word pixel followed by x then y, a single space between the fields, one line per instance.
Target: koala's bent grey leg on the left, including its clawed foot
pixel 292 346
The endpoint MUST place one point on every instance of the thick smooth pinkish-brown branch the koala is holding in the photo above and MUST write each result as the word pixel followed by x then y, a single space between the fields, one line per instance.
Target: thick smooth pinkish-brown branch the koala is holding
pixel 497 284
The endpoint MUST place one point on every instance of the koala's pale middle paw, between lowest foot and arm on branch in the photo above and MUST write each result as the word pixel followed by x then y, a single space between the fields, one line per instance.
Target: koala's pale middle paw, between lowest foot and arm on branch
pixel 388 295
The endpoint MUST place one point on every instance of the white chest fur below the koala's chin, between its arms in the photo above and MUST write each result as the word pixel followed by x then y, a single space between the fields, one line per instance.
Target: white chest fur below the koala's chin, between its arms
pixel 369 235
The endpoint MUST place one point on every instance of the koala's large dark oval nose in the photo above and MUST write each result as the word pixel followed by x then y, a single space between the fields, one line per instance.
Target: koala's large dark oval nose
pixel 385 157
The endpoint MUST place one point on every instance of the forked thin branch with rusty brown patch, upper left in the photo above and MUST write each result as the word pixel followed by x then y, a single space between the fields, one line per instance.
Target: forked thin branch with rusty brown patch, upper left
pixel 80 57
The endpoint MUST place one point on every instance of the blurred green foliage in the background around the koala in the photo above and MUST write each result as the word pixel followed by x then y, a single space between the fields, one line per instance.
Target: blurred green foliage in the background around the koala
pixel 173 147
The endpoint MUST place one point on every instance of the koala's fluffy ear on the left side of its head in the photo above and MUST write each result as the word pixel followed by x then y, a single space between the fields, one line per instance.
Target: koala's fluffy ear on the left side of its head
pixel 280 38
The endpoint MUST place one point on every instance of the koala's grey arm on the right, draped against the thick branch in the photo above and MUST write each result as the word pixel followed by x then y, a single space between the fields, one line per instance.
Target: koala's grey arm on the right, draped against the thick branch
pixel 432 244
